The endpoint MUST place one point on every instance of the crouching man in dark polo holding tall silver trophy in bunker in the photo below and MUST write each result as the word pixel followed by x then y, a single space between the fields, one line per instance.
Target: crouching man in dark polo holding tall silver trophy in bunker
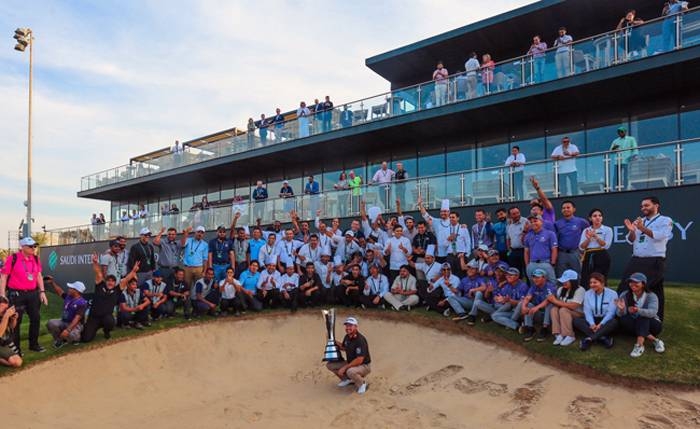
pixel 357 366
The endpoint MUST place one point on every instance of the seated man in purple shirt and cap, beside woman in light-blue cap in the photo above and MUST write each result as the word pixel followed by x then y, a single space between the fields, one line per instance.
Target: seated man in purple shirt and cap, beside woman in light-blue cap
pixel 536 306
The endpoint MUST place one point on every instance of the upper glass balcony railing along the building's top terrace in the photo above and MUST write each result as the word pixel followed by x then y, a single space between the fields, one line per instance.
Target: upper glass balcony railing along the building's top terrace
pixel 593 53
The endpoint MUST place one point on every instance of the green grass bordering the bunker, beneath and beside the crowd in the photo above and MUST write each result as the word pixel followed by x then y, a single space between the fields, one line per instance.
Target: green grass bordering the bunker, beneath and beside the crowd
pixel 679 365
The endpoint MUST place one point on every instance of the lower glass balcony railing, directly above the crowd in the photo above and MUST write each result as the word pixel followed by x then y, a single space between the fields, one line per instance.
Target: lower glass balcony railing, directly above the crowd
pixel 654 166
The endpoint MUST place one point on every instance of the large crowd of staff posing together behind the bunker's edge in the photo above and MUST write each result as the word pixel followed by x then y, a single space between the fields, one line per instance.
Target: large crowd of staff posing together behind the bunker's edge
pixel 540 274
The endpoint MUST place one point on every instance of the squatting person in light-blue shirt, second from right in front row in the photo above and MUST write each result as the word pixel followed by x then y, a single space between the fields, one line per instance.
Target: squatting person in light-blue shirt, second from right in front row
pixel 599 307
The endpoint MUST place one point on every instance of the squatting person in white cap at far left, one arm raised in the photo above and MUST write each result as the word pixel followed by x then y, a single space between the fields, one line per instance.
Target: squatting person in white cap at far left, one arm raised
pixel 70 325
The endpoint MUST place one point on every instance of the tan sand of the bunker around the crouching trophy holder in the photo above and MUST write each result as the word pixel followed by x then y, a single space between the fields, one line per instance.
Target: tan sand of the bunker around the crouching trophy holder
pixel 266 373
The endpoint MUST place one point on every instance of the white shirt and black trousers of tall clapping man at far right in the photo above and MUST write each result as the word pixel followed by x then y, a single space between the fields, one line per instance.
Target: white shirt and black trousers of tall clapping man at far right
pixel 649 257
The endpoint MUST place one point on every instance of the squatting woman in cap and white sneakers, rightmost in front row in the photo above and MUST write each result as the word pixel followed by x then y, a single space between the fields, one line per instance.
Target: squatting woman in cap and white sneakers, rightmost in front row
pixel 637 309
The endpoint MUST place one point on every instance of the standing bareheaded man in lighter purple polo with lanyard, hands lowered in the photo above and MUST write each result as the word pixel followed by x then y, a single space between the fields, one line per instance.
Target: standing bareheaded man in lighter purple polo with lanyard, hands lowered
pixel 541 248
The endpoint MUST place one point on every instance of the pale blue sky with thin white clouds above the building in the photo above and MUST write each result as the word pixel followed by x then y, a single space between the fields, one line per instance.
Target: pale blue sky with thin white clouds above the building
pixel 114 79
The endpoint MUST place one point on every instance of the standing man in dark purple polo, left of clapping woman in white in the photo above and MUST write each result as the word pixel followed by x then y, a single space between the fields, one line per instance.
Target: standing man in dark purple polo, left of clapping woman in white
pixel 569 230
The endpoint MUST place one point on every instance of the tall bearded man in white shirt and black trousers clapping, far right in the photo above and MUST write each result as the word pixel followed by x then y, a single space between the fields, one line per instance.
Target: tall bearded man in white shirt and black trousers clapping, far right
pixel 649 236
